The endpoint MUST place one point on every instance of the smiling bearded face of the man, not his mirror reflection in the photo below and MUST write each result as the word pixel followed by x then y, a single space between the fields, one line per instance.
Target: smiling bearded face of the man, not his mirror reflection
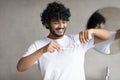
pixel 57 28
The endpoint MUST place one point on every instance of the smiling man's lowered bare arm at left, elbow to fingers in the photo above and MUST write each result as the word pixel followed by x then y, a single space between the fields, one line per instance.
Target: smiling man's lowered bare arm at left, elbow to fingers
pixel 26 62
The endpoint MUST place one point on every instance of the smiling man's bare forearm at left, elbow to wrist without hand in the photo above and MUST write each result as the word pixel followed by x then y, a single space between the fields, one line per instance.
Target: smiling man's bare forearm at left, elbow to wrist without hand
pixel 26 62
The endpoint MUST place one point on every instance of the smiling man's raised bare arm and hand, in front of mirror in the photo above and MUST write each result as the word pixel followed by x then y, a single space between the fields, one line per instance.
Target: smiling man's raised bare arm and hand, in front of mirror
pixel 99 35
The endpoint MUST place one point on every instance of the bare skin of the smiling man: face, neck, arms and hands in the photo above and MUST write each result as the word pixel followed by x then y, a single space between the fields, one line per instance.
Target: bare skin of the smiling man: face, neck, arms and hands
pixel 57 29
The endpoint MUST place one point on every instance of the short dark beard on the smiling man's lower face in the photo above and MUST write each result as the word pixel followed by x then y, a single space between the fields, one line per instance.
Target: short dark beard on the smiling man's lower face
pixel 55 32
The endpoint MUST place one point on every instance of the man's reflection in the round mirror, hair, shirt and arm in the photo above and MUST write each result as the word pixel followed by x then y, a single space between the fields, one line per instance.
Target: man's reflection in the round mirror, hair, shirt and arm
pixel 97 21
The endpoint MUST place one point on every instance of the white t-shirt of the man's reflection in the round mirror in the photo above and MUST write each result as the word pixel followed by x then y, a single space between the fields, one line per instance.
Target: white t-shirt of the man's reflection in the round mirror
pixel 104 47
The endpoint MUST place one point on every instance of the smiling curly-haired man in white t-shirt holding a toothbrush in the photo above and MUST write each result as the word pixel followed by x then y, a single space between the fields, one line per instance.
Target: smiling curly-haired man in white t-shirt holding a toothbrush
pixel 59 56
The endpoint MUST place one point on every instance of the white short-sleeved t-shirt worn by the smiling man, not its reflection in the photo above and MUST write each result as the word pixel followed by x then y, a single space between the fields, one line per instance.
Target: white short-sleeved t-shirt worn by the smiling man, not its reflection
pixel 67 64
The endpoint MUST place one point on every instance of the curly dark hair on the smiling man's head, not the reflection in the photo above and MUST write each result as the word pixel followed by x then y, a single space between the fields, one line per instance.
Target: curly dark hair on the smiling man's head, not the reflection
pixel 55 10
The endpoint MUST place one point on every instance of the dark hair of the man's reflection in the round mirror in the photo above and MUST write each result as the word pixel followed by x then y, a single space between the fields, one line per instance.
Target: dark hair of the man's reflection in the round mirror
pixel 96 18
